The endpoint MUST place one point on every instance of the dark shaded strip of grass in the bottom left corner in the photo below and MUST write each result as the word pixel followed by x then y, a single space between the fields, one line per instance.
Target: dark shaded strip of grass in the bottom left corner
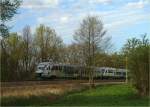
pixel 28 101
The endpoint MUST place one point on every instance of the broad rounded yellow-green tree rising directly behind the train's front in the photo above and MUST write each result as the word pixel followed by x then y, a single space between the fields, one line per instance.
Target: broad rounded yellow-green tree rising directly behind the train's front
pixel 48 43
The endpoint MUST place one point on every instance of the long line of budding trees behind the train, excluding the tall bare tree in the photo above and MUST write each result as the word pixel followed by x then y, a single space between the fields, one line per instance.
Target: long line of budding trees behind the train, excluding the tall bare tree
pixel 20 53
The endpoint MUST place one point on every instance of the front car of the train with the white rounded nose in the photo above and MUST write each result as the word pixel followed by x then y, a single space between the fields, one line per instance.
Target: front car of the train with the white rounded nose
pixel 49 70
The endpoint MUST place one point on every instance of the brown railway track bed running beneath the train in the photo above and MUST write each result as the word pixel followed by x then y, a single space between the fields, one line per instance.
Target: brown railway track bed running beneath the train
pixel 55 82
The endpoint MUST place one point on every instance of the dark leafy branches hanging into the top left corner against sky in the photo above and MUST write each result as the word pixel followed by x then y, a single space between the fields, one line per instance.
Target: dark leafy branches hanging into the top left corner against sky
pixel 8 8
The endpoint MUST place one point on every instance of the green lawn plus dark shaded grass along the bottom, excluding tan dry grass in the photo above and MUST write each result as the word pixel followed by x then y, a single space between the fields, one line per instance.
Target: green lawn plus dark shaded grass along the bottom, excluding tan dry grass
pixel 104 95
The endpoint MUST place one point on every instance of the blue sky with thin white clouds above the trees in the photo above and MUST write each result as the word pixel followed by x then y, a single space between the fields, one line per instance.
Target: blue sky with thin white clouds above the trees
pixel 123 19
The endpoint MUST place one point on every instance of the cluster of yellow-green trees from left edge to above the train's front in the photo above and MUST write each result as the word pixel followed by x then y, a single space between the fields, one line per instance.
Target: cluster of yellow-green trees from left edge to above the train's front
pixel 21 53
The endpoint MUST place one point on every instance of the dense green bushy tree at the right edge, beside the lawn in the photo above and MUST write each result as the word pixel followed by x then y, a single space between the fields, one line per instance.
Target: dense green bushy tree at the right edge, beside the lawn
pixel 137 51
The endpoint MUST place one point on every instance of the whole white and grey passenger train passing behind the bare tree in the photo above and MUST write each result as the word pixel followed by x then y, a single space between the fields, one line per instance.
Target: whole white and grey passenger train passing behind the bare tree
pixel 55 70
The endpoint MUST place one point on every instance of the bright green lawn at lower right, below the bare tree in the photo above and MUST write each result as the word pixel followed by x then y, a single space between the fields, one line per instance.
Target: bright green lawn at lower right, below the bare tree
pixel 109 95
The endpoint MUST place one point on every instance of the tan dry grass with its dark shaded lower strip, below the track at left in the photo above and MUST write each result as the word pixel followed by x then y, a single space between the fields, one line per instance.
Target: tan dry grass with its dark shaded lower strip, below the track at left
pixel 35 95
